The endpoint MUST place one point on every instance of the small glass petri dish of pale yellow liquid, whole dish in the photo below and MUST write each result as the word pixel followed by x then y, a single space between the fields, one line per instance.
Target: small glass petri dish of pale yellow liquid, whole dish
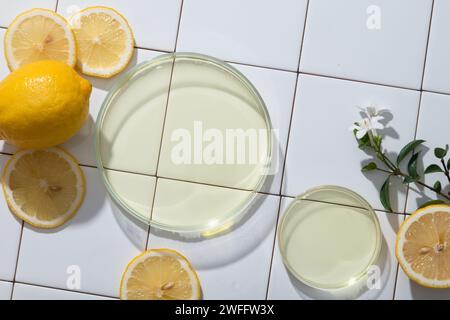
pixel 329 237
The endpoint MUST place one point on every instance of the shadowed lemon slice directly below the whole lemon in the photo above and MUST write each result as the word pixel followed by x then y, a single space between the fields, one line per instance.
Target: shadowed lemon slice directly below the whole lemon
pixel 45 187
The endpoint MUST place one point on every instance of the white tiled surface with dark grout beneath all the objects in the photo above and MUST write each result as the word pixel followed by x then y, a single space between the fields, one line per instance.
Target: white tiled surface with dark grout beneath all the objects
pixel 313 62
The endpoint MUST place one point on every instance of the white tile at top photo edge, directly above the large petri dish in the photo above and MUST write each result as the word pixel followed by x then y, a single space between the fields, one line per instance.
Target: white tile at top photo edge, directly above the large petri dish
pixel 260 32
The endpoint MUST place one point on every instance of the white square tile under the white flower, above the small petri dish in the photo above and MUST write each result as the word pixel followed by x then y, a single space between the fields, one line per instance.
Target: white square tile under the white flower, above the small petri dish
pixel 322 150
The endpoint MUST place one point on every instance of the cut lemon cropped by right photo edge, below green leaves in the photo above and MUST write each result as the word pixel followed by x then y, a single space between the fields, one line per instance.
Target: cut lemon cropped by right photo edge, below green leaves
pixel 423 246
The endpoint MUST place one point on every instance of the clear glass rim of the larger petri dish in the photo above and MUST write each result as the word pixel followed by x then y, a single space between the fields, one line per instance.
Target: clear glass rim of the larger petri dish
pixel 199 229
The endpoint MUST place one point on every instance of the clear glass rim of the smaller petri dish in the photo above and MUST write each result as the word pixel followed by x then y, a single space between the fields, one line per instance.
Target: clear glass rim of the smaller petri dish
pixel 304 196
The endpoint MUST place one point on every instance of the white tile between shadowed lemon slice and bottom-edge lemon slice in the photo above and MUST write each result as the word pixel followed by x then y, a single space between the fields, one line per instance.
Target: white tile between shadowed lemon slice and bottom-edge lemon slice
pixel 89 253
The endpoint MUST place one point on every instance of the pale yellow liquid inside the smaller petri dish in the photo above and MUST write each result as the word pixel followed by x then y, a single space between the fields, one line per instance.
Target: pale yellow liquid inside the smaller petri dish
pixel 330 245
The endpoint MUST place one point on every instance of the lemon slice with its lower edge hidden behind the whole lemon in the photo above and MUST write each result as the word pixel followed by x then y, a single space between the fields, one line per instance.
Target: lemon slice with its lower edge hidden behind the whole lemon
pixel 39 34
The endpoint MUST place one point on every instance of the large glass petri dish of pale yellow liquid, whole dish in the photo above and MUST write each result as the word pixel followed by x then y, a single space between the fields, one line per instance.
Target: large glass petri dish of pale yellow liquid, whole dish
pixel 184 143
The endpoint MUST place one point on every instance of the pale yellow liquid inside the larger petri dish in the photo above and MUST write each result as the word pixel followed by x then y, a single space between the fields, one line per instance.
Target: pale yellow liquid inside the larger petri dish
pixel 137 138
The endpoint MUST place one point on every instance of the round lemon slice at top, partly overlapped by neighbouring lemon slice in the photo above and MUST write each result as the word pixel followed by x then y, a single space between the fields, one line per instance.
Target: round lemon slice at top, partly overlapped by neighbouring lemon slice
pixel 105 41
